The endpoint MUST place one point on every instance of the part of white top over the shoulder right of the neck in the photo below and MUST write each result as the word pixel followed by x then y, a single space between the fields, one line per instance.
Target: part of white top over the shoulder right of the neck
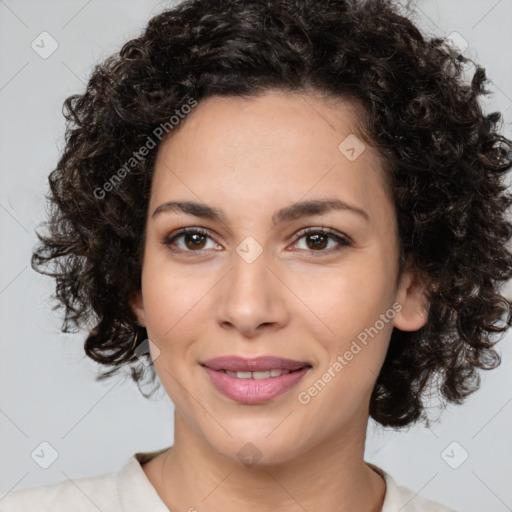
pixel 404 499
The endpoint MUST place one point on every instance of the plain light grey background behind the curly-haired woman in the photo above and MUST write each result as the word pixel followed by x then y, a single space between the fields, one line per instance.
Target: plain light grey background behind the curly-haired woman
pixel 47 387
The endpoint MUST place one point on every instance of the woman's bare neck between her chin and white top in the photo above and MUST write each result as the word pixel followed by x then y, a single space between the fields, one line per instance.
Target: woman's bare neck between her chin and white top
pixel 330 476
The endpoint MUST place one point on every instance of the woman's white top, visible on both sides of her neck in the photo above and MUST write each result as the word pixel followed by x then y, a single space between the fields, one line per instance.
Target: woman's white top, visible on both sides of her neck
pixel 130 490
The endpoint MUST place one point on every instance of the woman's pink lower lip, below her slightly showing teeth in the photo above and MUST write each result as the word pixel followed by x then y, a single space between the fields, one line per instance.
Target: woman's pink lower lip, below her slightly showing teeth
pixel 254 391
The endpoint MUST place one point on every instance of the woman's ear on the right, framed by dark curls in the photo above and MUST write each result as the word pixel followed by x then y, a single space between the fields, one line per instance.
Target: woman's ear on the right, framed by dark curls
pixel 411 296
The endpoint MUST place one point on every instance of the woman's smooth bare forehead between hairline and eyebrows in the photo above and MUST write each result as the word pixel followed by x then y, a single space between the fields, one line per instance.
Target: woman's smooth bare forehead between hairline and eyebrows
pixel 254 154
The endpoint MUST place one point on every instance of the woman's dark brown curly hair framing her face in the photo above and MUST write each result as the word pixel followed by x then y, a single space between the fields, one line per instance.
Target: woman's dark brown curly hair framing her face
pixel 445 163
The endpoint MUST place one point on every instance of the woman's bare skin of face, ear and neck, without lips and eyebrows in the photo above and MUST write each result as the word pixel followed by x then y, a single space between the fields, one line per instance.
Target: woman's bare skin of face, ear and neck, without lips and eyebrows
pixel 249 158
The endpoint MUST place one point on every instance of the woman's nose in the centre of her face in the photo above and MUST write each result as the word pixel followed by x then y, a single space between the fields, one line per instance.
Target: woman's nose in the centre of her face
pixel 251 298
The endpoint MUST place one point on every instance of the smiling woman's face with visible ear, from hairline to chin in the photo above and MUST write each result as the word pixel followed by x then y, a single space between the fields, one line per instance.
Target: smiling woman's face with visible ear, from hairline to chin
pixel 261 279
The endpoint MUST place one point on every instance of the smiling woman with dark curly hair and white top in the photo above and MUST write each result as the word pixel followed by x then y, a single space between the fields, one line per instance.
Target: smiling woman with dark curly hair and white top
pixel 299 209
